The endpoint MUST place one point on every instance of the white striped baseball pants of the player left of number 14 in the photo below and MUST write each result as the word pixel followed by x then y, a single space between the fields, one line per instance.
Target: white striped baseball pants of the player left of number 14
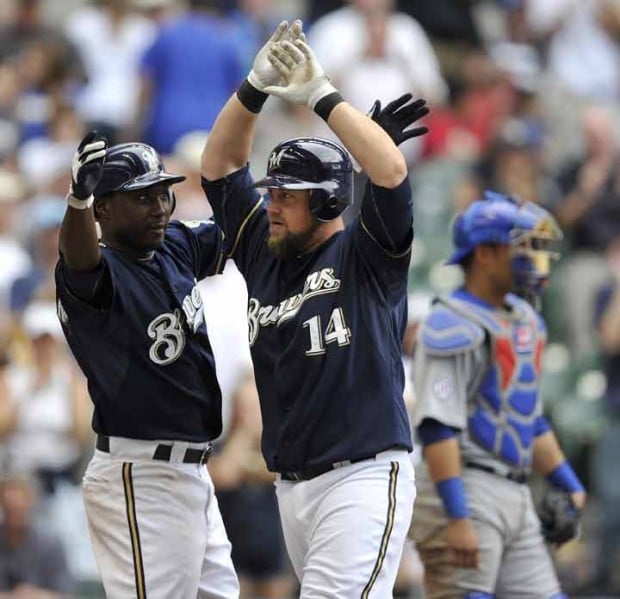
pixel 155 526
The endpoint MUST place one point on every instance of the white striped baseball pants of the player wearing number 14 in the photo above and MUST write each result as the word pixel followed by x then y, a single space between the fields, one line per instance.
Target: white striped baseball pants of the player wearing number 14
pixel 345 529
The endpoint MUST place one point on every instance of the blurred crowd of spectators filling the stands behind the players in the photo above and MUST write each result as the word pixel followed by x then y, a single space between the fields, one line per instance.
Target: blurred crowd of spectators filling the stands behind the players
pixel 524 98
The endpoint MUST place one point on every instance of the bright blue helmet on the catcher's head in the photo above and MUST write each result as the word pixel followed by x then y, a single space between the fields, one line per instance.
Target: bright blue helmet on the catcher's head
pixel 490 220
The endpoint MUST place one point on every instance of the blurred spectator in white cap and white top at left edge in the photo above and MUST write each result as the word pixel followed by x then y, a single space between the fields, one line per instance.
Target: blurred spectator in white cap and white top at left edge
pixel 45 430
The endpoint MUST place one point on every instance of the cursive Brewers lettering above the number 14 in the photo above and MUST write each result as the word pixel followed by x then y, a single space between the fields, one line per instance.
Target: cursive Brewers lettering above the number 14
pixel 319 282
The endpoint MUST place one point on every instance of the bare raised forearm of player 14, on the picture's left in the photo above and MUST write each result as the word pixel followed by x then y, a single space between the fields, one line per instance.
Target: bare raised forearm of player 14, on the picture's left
pixel 230 140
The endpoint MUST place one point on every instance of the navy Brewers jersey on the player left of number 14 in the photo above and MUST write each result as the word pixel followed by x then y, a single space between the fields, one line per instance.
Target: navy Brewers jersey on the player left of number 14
pixel 142 343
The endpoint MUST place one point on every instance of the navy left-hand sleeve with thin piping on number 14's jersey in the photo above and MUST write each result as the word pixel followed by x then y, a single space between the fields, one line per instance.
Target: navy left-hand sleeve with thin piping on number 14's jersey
pixel 238 209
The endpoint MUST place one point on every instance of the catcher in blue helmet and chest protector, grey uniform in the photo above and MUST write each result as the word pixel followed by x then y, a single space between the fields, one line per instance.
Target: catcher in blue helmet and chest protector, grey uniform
pixel 478 413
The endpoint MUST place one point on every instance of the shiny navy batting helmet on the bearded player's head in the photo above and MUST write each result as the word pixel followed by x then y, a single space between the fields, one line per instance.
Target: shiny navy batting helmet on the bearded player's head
pixel 317 164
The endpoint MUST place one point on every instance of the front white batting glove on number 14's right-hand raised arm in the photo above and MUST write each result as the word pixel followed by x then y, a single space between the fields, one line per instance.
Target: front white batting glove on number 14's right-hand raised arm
pixel 306 82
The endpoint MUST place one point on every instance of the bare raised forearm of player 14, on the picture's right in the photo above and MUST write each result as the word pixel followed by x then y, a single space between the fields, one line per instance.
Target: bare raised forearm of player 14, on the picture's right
pixel 369 144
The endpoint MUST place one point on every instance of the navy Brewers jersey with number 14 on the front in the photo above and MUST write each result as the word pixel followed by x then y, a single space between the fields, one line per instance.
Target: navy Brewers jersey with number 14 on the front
pixel 325 330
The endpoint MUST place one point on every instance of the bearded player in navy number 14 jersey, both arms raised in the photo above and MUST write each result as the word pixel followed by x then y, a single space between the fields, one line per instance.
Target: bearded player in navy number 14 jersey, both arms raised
pixel 327 311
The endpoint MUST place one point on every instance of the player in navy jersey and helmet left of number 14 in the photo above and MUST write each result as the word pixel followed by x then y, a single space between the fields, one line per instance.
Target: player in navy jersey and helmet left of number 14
pixel 132 314
